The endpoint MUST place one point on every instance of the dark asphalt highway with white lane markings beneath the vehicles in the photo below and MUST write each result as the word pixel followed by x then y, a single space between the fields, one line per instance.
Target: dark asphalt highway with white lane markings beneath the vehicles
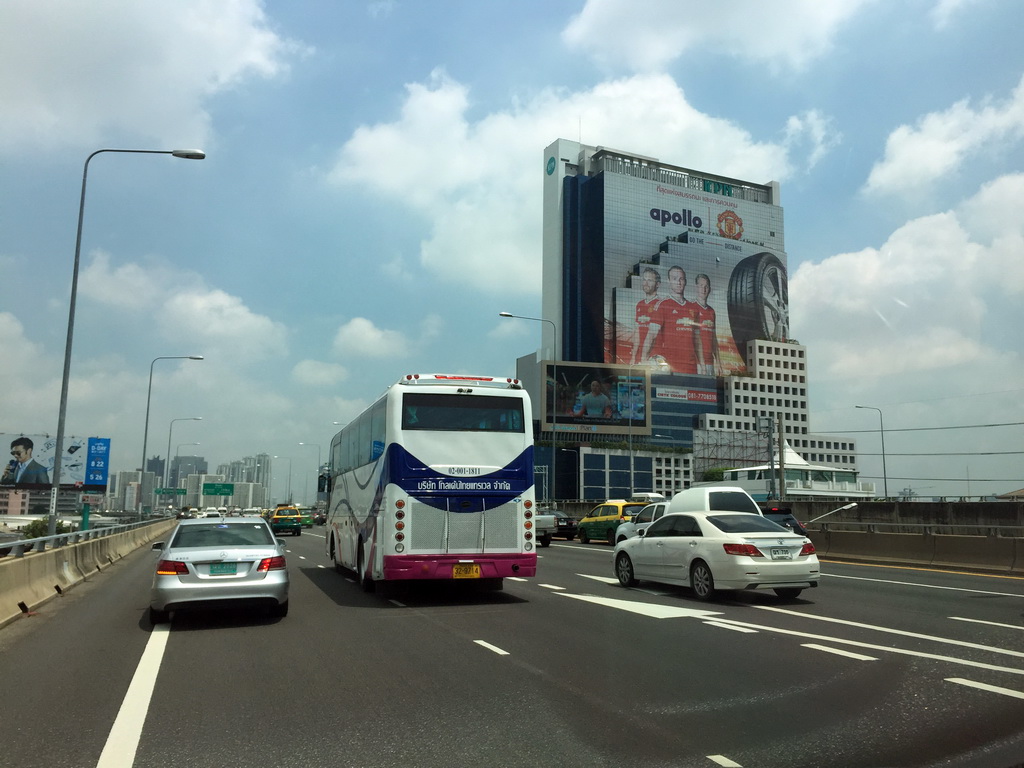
pixel 879 667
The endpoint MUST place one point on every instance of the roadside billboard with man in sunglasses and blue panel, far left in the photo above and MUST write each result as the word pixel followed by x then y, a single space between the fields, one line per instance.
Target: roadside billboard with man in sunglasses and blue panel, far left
pixel 84 464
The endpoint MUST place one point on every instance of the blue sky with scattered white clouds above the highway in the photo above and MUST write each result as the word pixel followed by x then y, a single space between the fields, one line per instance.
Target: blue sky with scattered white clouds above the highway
pixel 371 201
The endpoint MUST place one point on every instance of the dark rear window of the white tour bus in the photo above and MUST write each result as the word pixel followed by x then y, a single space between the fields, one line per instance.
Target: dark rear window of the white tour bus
pixel 461 413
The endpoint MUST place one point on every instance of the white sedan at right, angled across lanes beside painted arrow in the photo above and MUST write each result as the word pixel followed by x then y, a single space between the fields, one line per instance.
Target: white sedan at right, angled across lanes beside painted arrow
pixel 709 551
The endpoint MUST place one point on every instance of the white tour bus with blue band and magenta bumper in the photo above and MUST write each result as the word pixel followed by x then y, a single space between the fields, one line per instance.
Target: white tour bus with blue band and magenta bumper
pixel 436 481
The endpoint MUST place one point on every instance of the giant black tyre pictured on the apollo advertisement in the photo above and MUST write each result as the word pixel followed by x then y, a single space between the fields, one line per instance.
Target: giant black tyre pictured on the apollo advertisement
pixel 759 301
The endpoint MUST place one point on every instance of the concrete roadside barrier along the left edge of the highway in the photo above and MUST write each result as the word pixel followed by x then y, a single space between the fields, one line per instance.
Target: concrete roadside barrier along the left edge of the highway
pixel 40 577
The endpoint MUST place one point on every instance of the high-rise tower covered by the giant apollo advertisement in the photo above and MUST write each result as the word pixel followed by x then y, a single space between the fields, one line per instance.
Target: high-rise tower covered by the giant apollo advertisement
pixel 667 326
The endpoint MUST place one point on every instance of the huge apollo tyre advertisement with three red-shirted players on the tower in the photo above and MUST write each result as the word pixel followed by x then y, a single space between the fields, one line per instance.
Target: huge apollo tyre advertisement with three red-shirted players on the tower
pixel 691 277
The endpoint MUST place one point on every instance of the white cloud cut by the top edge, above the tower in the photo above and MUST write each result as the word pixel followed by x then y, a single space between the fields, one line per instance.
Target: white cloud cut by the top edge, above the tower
pixel 648 37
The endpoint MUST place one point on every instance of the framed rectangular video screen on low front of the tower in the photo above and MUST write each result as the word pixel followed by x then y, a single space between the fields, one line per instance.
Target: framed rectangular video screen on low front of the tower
pixel 595 398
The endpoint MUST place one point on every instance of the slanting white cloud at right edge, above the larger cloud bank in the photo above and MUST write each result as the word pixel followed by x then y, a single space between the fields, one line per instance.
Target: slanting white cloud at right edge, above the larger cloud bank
pixel 943 142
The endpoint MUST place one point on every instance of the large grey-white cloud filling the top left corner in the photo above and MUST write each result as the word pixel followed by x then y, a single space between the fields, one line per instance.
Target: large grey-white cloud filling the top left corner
pixel 77 91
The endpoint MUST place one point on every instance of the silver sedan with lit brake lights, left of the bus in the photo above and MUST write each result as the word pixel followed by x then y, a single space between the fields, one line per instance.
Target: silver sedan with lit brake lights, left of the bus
pixel 231 562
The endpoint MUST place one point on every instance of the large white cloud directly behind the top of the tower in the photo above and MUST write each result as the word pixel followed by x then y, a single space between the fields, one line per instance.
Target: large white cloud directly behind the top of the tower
pixel 488 234
